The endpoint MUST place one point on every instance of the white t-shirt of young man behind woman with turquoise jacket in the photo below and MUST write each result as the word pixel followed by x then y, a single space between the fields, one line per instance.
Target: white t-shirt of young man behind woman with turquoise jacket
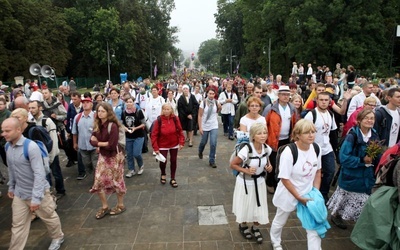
pixel 324 124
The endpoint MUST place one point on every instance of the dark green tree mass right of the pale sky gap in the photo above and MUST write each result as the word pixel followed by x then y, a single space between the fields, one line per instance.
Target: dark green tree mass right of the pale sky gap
pixel 321 32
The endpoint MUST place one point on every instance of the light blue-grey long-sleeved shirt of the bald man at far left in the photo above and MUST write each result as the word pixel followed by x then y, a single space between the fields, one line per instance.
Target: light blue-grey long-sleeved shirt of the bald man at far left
pixel 27 179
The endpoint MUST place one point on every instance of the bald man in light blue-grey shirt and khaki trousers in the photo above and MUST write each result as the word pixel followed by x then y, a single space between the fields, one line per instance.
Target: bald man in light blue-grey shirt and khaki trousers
pixel 28 188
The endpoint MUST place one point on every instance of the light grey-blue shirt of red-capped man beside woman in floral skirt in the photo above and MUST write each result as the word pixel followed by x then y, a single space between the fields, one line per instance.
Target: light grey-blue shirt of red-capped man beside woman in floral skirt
pixel 85 129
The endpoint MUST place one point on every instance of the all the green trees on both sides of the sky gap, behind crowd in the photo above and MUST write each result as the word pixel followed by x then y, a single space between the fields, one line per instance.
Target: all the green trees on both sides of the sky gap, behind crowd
pixel 71 36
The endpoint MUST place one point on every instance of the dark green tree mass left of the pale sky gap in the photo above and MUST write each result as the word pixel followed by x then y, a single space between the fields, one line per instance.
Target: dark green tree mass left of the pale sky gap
pixel 72 36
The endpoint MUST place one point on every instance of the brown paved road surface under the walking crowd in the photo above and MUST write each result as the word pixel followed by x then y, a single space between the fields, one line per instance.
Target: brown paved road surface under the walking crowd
pixel 160 217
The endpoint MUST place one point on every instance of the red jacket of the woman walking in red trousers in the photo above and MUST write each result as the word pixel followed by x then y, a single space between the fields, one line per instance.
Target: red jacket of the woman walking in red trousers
pixel 169 135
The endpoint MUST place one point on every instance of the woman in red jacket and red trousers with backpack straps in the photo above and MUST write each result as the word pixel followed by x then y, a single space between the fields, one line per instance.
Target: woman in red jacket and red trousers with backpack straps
pixel 167 136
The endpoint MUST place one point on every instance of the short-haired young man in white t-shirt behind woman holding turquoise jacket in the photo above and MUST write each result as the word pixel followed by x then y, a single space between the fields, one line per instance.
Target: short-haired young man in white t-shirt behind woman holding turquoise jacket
pixel 324 122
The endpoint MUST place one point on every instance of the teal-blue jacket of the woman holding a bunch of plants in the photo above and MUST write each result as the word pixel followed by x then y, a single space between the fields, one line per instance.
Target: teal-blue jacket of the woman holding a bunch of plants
pixel 354 175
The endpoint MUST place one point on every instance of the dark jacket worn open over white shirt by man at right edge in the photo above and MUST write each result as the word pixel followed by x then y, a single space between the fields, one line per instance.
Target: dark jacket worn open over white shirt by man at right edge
pixel 383 124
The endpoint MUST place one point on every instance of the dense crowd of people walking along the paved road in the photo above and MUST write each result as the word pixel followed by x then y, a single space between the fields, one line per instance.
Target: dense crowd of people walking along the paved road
pixel 292 132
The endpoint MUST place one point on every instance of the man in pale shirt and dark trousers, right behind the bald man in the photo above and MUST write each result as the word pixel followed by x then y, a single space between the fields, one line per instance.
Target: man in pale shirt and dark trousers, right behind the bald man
pixel 39 119
